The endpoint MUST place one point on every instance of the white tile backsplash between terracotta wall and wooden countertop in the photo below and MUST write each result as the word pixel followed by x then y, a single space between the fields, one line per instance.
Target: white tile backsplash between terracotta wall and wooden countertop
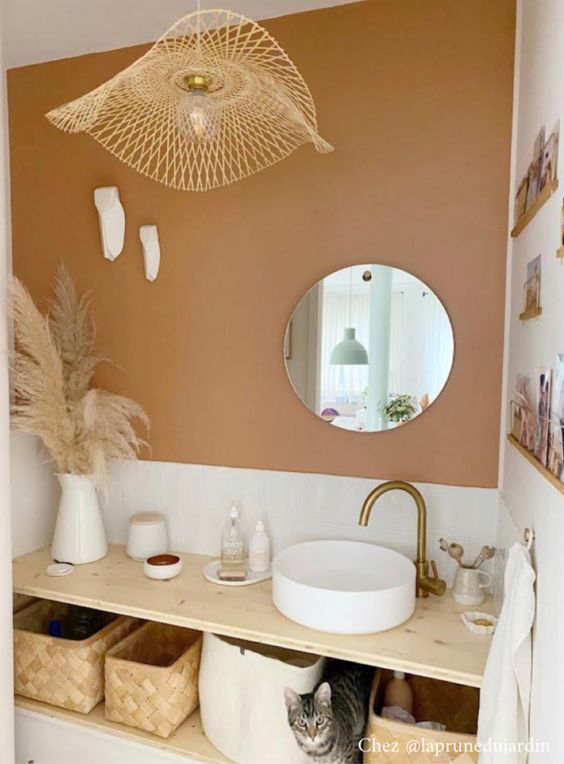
pixel 295 507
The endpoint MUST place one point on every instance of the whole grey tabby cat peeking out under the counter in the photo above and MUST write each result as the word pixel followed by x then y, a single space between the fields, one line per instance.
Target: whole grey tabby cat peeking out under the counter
pixel 329 722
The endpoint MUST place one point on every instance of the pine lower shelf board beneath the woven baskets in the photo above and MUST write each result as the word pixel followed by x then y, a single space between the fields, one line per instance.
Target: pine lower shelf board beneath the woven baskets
pixel 188 740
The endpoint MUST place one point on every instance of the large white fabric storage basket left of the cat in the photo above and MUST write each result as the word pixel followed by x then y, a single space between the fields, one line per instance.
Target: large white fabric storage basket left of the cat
pixel 242 698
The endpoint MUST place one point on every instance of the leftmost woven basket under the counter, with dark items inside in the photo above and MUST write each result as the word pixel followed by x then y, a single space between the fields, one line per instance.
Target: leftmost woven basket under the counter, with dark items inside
pixel 62 672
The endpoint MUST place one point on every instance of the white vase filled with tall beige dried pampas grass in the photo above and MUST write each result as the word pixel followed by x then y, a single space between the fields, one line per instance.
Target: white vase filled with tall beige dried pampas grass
pixel 81 426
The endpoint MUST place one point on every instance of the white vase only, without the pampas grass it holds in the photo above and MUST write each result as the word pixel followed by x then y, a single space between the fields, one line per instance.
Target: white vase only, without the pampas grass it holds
pixel 79 532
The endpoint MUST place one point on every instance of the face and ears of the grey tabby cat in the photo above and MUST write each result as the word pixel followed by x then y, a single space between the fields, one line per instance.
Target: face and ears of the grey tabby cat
pixel 310 717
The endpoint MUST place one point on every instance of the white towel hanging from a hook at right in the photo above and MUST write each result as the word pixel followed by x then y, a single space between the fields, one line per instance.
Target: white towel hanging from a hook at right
pixel 503 721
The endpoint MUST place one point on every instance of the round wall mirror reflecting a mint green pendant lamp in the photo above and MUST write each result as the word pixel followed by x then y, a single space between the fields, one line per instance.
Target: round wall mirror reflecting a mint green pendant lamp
pixel 369 348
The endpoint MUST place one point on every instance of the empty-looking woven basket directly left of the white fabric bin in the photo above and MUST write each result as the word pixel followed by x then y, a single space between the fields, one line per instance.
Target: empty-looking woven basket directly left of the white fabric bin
pixel 152 678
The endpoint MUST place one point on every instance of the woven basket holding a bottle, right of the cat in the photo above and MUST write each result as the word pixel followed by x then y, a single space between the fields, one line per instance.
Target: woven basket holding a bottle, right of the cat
pixel 391 742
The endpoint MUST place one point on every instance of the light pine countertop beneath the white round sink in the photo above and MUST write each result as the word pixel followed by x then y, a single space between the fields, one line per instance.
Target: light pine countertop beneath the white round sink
pixel 433 643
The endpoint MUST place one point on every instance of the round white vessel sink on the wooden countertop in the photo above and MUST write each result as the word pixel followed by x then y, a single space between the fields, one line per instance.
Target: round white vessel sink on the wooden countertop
pixel 343 587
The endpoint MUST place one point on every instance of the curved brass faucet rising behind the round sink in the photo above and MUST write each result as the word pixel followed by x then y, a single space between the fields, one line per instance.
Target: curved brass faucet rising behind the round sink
pixel 424 582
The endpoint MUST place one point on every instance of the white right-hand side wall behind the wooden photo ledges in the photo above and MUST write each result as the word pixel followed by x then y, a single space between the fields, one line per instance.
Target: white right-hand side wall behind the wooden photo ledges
pixel 529 499
